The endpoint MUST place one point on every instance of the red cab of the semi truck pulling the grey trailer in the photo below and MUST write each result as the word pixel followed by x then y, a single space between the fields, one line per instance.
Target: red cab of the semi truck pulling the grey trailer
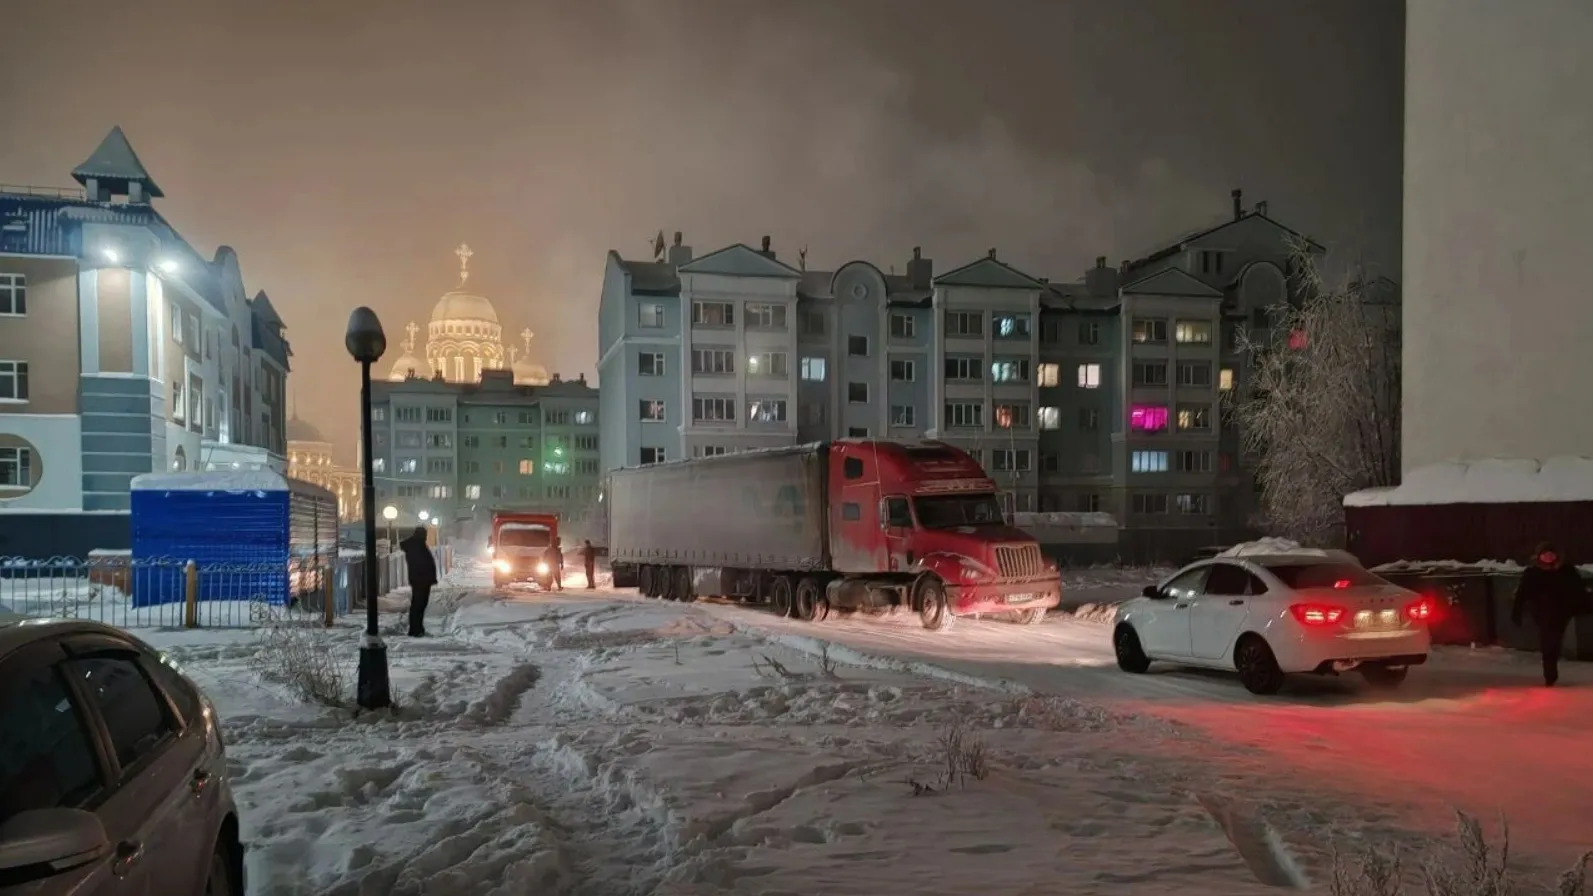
pixel 928 511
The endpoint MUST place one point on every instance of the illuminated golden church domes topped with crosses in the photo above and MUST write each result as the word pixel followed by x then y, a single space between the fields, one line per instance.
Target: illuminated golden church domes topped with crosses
pixel 466 339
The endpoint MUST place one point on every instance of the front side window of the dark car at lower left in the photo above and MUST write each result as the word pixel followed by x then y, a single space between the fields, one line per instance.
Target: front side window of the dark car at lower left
pixel 47 756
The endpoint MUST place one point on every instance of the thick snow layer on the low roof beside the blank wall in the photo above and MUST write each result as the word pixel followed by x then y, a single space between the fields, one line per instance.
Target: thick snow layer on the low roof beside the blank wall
pixel 1487 482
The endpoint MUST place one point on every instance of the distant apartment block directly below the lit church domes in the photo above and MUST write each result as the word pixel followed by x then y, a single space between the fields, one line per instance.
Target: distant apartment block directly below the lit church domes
pixel 461 450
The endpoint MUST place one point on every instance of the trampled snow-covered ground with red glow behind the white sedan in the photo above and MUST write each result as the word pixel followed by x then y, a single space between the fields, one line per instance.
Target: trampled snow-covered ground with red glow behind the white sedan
pixel 595 742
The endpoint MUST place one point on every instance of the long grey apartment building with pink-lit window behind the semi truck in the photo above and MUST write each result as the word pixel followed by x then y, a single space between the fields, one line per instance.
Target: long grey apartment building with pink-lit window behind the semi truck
pixel 1100 396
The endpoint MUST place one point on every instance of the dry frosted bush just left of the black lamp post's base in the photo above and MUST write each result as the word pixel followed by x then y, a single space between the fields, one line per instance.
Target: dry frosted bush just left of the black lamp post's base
pixel 300 653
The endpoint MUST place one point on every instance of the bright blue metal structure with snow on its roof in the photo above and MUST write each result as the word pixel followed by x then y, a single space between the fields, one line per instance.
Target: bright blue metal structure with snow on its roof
pixel 254 535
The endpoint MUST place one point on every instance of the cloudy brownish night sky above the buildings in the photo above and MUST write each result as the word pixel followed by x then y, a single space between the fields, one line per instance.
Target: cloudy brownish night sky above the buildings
pixel 345 147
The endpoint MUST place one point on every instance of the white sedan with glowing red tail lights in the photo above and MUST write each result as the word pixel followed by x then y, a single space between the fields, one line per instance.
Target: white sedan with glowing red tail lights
pixel 1274 615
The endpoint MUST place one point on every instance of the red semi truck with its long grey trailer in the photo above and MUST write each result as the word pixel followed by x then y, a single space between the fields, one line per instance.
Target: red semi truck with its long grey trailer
pixel 850 527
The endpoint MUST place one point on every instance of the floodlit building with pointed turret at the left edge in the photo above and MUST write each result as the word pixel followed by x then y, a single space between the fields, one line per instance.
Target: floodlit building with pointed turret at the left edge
pixel 122 352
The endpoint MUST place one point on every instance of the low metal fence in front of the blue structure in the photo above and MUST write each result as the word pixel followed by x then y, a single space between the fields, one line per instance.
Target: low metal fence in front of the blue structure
pixel 171 592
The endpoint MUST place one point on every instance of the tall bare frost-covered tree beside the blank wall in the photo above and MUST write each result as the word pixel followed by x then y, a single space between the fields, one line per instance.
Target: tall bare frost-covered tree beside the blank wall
pixel 1321 417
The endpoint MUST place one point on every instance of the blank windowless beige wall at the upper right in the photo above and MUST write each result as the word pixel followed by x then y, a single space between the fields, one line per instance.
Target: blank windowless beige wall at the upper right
pixel 1498 213
